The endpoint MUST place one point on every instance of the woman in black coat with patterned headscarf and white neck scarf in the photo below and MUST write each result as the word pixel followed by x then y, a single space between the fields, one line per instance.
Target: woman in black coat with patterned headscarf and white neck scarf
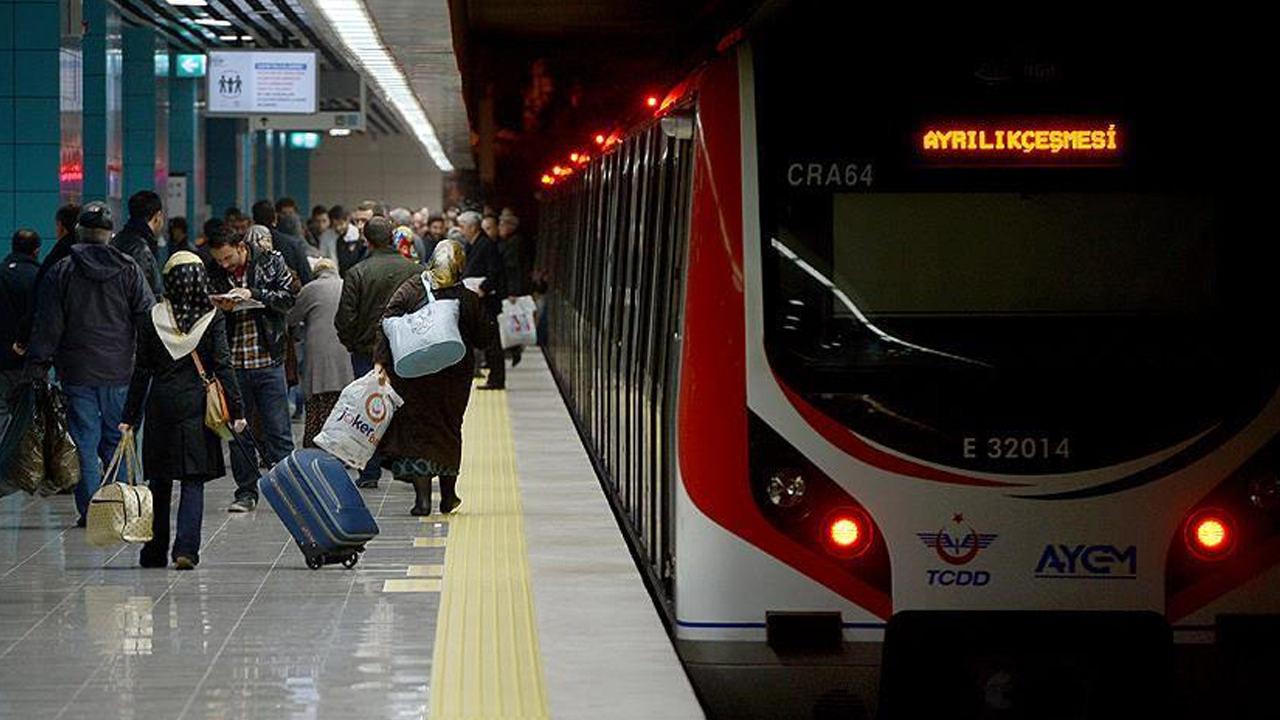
pixel 177 445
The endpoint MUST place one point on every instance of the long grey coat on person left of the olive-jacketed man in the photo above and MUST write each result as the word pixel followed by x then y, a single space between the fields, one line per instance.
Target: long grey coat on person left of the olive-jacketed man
pixel 328 364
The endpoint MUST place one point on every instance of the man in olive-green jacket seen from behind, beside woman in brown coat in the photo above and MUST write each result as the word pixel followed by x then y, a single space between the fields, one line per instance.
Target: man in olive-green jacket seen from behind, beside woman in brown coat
pixel 365 291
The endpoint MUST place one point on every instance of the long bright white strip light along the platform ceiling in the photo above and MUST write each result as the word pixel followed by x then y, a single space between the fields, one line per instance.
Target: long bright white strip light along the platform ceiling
pixel 355 30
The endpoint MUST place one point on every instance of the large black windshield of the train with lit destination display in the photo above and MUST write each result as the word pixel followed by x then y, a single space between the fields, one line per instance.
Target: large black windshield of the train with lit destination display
pixel 1009 261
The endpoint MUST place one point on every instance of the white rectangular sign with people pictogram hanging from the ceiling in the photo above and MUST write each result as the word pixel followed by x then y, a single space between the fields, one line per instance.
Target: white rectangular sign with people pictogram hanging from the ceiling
pixel 246 83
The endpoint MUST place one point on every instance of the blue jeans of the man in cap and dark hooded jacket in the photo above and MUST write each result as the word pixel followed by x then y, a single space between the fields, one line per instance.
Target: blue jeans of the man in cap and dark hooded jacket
pixel 94 418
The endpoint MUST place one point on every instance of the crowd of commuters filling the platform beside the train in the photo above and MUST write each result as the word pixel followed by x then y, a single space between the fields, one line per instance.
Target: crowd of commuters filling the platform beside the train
pixel 135 322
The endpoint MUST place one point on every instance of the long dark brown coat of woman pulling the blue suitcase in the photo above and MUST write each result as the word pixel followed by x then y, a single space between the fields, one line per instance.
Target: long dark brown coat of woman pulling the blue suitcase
pixel 429 425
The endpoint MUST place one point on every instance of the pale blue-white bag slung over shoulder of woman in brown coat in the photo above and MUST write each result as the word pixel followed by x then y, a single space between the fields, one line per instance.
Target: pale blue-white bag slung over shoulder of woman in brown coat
pixel 427 340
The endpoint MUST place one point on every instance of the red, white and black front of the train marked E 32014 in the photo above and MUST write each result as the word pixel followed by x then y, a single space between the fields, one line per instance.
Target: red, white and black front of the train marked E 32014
pixel 1011 371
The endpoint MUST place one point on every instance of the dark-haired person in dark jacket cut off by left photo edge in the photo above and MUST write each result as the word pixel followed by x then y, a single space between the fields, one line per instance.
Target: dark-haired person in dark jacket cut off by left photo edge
pixel 17 285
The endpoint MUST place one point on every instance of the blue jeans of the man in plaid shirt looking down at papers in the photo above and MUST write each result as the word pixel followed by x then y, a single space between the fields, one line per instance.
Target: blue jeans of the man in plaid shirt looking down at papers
pixel 266 395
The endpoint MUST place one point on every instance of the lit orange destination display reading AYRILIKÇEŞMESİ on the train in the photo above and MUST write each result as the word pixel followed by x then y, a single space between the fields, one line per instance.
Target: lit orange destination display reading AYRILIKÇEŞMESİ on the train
pixel 1016 143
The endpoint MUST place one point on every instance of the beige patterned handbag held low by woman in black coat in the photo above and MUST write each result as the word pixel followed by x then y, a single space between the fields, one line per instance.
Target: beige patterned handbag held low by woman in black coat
pixel 121 511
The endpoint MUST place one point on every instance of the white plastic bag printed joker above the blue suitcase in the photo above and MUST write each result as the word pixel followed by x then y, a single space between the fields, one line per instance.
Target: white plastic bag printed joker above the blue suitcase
pixel 358 422
